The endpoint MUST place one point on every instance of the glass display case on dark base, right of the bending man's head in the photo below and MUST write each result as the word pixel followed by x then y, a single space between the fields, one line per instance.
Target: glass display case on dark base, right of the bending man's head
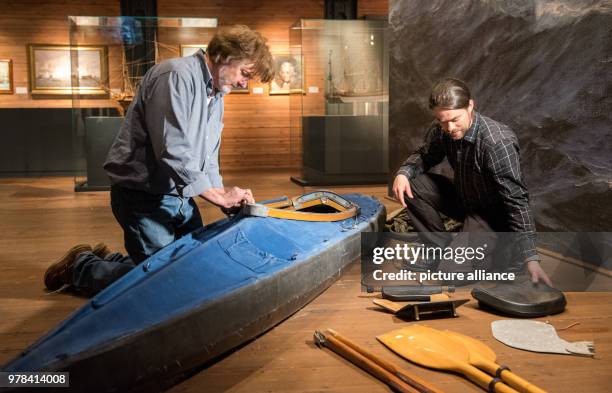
pixel 339 115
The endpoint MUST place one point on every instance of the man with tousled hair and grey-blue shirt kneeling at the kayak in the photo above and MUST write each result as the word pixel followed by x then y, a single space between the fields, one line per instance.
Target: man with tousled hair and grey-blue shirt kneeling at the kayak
pixel 166 153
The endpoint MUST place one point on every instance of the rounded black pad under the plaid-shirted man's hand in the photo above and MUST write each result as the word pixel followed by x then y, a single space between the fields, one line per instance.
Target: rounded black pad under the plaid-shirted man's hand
pixel 524 299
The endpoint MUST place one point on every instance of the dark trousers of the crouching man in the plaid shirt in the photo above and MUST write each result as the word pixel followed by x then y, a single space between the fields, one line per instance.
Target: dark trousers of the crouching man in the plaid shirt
pixel 435 194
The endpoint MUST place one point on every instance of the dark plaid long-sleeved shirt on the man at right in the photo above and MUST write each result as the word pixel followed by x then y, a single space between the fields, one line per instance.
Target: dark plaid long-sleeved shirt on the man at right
pixel 487 170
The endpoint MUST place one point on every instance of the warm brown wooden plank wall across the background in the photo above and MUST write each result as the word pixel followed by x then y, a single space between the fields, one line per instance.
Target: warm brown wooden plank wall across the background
pixel 257 127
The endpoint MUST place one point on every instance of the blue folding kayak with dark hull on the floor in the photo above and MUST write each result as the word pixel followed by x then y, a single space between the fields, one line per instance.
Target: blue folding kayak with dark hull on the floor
pixel 197 299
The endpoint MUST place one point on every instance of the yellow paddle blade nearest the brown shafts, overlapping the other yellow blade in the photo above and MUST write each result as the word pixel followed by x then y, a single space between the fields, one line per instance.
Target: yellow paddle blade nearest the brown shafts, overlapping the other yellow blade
pixel 431 349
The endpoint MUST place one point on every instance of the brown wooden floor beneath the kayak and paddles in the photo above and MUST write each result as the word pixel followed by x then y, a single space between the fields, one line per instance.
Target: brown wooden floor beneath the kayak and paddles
pixel 41 218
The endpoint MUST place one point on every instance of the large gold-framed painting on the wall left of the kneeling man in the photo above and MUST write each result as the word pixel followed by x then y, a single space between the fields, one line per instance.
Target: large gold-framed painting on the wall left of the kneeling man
pixel 67 70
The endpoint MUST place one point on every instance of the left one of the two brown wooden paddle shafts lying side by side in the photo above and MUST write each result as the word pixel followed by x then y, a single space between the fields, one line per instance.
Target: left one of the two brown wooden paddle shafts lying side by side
pixel 366 364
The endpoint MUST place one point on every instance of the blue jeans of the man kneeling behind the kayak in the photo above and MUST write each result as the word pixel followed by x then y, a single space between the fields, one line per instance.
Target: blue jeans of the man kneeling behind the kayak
pixel 149 222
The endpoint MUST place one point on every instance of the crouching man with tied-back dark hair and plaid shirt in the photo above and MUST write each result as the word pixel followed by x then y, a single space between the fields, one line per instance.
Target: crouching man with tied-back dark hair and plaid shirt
pixel 488 193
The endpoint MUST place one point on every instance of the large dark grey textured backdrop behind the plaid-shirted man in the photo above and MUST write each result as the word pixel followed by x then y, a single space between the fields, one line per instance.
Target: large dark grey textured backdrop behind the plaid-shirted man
pixel 541 66
